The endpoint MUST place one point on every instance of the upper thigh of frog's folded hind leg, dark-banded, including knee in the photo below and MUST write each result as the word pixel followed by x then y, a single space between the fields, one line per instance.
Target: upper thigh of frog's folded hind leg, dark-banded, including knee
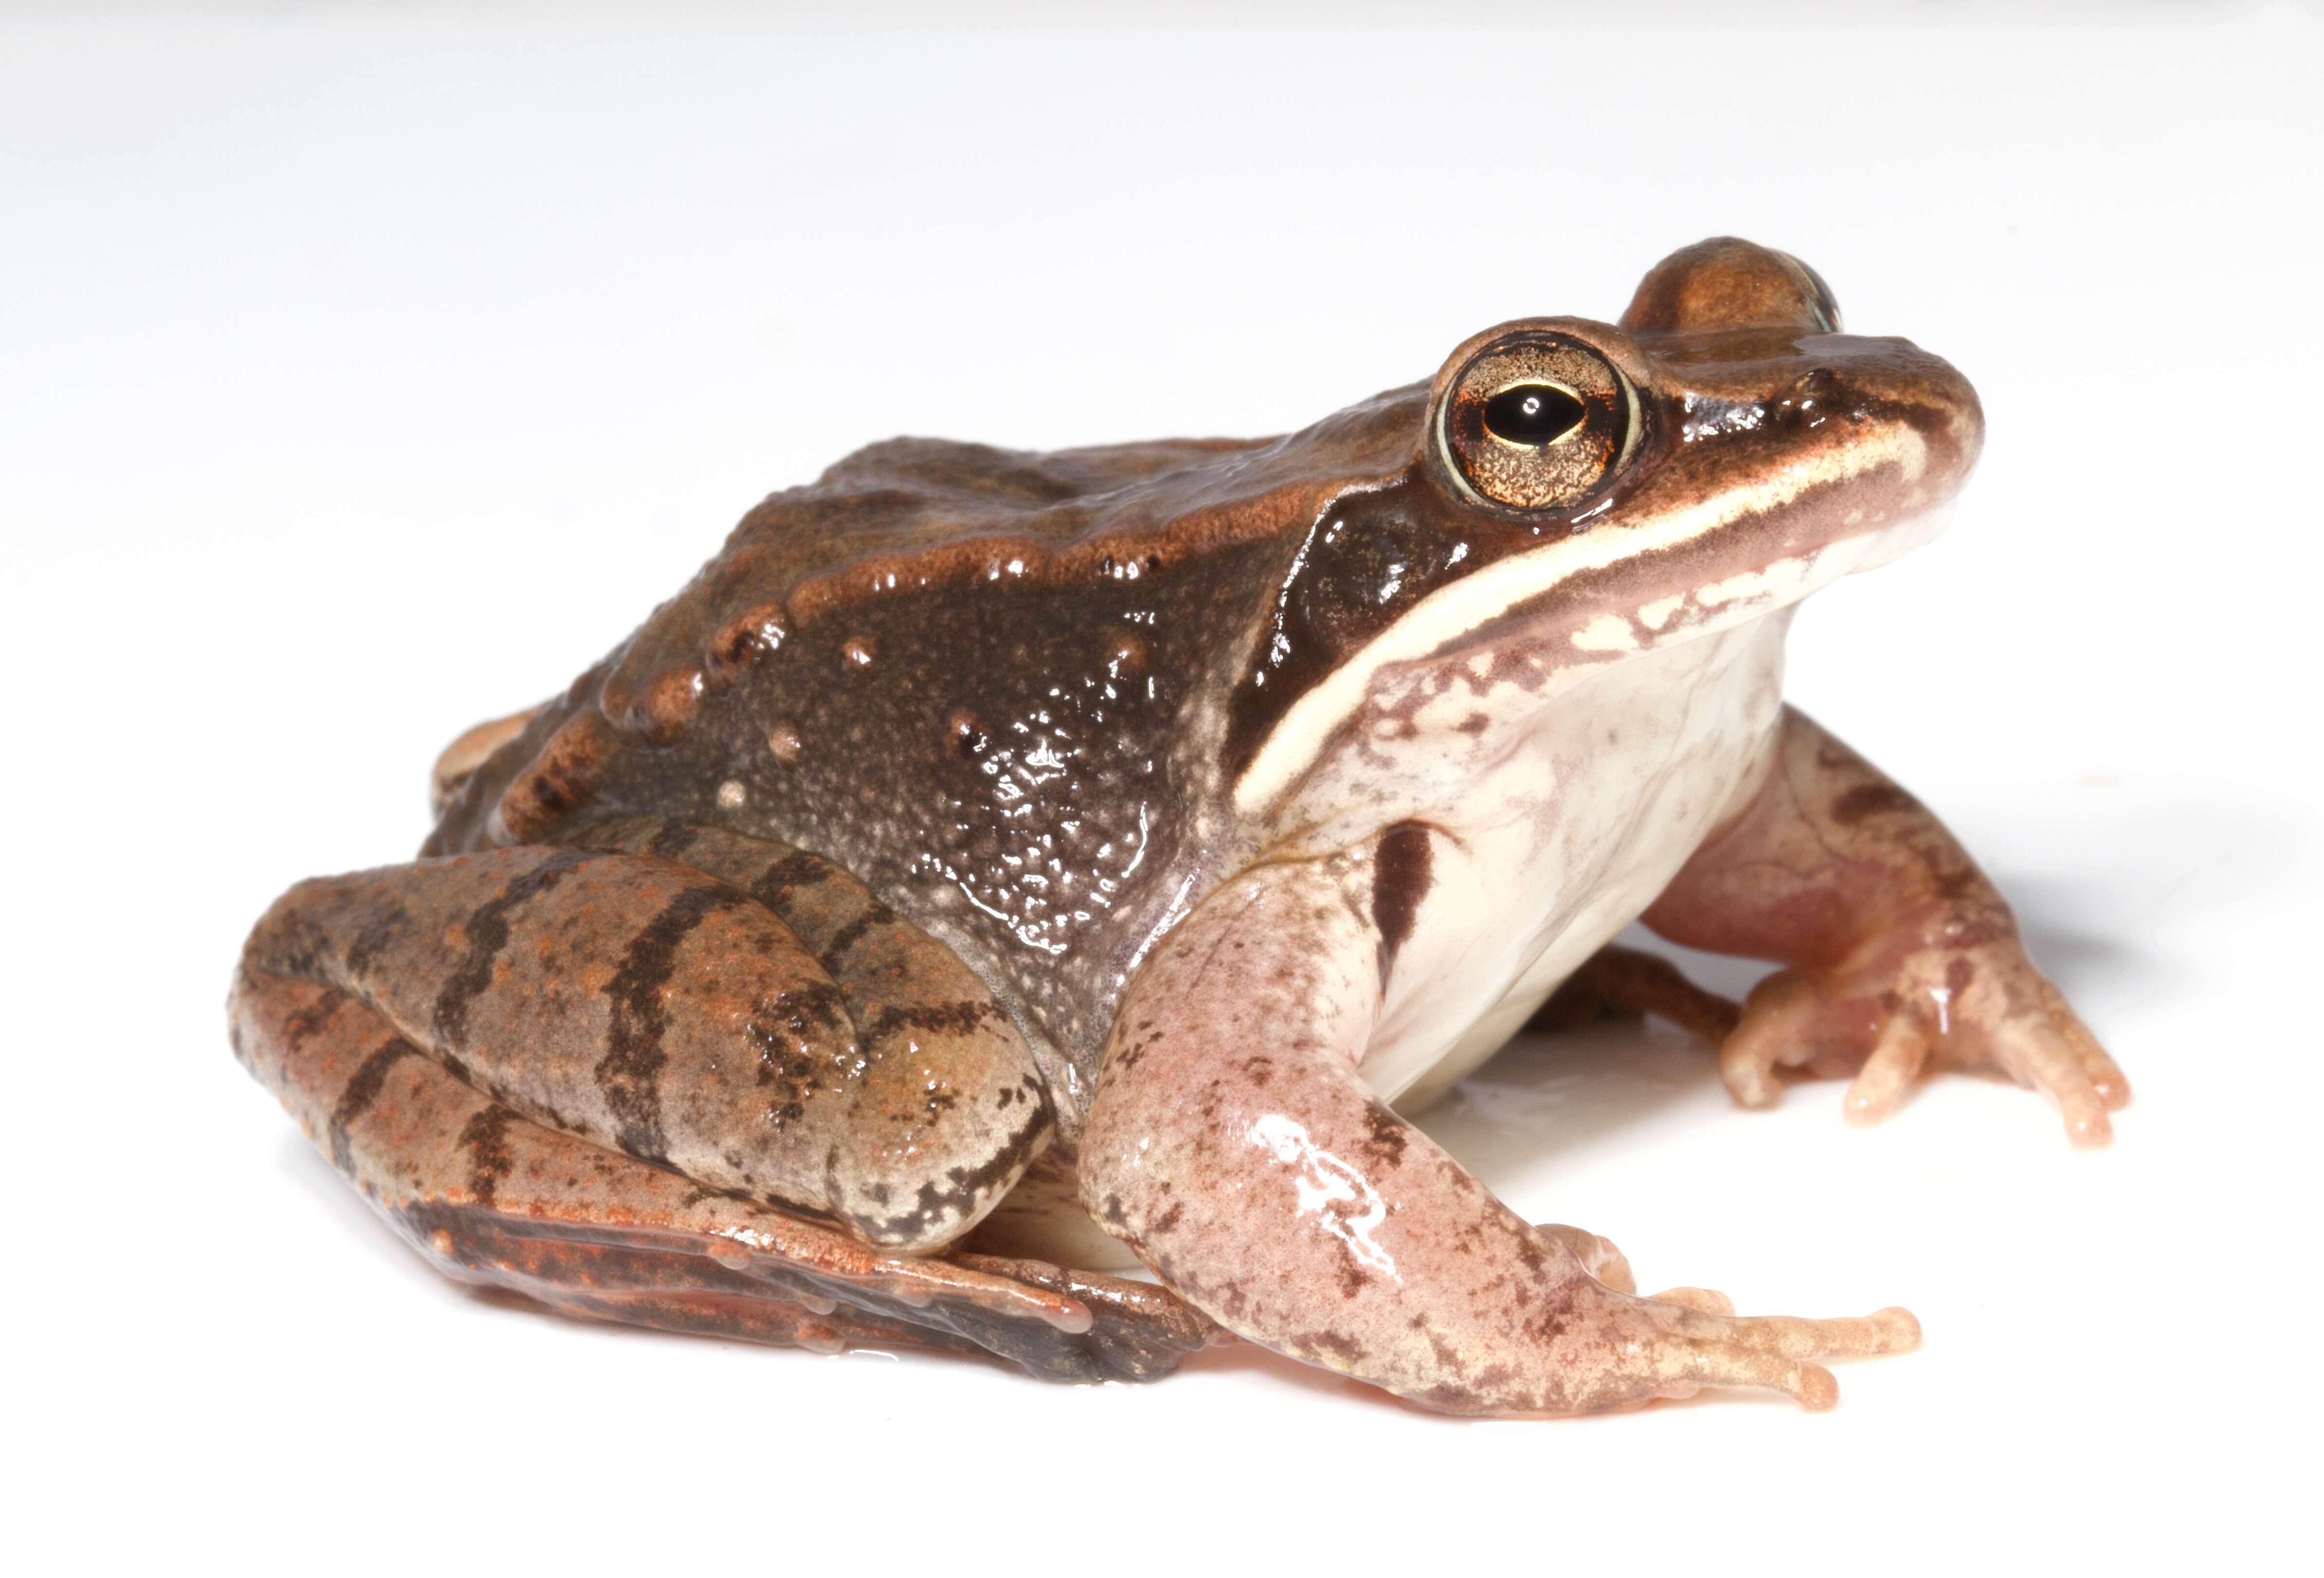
pixel 673 1017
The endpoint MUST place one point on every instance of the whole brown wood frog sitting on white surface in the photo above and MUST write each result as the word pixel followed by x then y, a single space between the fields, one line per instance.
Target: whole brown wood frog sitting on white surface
pixel 1000 868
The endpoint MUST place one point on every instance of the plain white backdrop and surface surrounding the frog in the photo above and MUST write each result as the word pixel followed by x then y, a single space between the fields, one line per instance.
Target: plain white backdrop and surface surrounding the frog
pixel 366 378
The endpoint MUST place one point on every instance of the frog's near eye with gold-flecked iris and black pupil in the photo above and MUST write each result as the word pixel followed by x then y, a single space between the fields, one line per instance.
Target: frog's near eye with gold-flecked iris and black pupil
pixel 1535 422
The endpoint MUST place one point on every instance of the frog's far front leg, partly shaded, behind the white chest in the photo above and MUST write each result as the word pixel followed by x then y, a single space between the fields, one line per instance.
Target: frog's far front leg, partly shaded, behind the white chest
pixel 1902 954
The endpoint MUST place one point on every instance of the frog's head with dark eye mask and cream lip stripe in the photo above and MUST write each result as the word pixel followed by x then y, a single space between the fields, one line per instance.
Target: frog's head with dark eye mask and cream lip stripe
pixel 1579 494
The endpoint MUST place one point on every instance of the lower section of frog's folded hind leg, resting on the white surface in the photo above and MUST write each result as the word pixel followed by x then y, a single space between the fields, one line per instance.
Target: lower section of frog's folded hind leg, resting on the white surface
pixel 498 1200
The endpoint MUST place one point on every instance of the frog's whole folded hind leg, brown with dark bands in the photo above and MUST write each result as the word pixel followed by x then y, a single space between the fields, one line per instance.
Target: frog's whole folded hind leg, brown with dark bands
pixel 619 1080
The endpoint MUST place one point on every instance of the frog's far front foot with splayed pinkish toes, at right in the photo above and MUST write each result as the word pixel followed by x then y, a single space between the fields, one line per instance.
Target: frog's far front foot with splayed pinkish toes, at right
pixel 1891 1014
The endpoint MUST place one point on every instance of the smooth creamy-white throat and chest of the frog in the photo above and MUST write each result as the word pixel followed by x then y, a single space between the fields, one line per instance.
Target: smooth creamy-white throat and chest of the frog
pixel 1561 842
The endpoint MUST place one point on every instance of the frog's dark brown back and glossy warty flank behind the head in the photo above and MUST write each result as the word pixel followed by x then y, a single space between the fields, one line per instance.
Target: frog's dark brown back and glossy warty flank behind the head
pixel 989 682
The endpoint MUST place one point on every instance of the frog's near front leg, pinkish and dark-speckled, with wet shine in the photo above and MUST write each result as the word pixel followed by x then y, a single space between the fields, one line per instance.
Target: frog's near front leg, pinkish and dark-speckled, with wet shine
pixel 1235 1147
